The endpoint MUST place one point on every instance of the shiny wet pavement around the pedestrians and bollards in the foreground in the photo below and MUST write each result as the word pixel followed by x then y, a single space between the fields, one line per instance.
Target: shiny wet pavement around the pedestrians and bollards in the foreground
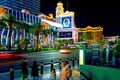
pixel 46 73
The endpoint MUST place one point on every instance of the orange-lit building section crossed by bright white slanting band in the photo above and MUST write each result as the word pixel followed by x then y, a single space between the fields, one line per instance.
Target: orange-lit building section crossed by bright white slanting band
pixel 49 22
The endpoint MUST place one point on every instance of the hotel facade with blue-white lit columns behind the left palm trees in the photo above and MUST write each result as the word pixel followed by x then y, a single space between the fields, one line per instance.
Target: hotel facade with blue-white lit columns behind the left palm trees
pixel 20 16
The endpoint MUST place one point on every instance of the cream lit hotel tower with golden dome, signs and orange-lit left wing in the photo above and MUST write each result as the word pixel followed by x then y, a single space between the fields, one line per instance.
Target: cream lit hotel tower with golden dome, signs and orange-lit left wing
pixel 63 22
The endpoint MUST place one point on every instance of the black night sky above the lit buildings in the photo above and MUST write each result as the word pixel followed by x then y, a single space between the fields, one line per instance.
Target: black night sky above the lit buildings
pixel 90 13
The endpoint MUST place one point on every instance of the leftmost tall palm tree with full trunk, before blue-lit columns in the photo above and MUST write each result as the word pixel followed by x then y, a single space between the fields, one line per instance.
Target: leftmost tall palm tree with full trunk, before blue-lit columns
pixel 10 21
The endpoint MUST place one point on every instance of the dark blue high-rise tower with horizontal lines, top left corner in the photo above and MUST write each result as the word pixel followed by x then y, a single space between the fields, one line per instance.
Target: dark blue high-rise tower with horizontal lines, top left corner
pixel 33 6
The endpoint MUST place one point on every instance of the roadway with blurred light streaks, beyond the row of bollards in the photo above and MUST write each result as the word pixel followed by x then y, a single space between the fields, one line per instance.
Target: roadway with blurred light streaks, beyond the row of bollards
pixel 46 57
